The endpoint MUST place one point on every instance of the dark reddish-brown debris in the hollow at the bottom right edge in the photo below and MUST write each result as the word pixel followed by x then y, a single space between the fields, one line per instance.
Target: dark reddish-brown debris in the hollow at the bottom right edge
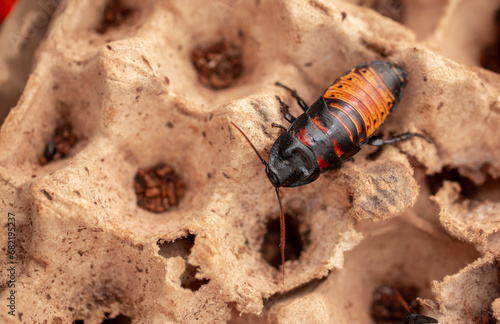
pixel 387 308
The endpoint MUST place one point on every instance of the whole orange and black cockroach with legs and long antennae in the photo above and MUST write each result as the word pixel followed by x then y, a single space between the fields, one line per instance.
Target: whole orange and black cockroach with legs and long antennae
pixel 334 127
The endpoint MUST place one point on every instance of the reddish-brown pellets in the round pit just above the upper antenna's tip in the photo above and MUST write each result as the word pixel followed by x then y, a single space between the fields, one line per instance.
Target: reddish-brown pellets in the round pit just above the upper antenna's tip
pixel 219 65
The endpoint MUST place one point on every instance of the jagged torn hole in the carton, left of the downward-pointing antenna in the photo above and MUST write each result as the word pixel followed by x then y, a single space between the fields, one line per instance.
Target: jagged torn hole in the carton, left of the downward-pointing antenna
pixel 182 248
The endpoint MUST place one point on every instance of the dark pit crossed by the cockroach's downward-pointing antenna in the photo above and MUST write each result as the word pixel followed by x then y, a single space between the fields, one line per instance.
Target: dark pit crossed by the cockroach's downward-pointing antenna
pixel 294 243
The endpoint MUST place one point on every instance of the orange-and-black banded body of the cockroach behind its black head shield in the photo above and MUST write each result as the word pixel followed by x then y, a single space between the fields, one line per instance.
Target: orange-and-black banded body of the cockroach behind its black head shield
pixel 350 111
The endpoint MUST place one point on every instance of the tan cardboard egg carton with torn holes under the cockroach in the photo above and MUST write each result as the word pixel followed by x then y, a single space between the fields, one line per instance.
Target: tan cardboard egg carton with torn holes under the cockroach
pixel 125 81
